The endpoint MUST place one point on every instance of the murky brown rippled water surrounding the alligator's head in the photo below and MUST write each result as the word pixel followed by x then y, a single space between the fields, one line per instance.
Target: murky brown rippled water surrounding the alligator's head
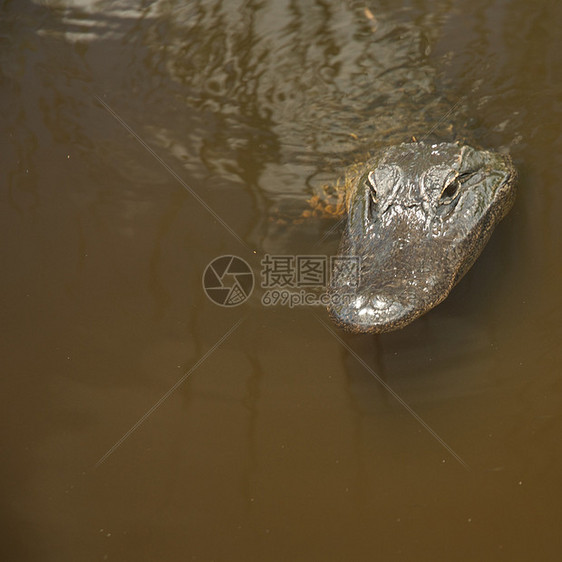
pixel 141 421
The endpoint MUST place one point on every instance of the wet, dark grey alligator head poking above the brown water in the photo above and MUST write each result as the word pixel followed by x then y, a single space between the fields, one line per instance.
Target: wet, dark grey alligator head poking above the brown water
pixel 418 216
